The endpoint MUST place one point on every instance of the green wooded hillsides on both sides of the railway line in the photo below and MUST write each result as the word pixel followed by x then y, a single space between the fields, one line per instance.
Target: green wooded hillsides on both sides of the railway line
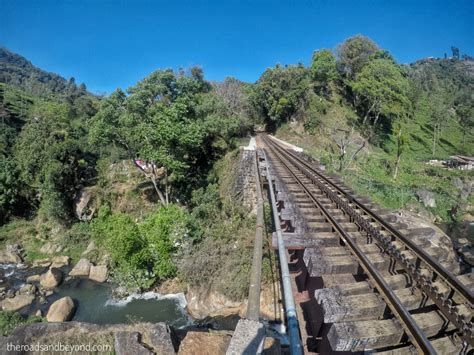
pixel 157 159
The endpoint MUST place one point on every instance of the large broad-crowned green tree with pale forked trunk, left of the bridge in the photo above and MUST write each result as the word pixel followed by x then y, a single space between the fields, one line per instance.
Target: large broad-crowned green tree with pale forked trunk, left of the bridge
pixel 168 122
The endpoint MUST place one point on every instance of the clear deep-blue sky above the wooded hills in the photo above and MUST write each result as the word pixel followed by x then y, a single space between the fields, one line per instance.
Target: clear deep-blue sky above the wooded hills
pixel 114 43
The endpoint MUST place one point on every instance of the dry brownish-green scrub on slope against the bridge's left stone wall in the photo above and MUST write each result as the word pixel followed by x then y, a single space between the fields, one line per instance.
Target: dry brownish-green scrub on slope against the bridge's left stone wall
pixel 223 257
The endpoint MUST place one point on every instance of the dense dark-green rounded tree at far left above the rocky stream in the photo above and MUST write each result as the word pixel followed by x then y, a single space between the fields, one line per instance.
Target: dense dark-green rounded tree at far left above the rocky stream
pixel 48 155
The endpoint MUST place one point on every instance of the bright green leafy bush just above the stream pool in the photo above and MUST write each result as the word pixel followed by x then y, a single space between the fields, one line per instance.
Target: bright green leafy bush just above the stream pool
pixel 143 253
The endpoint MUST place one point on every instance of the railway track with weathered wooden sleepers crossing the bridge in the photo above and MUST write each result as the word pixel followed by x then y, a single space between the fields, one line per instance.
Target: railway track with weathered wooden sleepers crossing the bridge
pixel 363 283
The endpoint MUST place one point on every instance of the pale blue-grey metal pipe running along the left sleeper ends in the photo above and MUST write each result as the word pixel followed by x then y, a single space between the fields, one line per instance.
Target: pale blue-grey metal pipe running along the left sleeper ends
pixel 290 308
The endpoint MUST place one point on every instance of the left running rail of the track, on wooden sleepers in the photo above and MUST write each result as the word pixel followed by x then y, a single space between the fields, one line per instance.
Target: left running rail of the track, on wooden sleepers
pixel 417 335
